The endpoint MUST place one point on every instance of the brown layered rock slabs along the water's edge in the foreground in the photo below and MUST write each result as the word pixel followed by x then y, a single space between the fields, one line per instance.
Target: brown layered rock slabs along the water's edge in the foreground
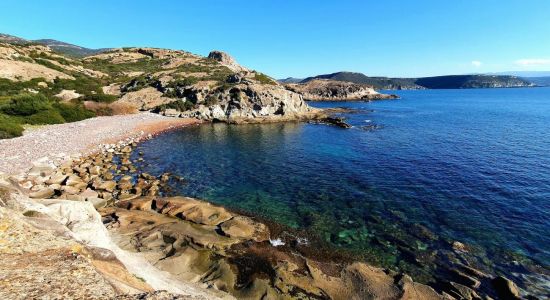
pixel 207 245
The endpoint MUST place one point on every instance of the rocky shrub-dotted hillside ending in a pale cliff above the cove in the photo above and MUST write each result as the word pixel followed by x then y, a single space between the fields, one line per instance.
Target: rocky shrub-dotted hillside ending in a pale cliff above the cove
pixel 39 85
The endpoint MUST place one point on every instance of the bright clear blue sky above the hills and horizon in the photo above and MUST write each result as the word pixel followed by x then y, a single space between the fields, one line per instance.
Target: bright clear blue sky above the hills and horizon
pixel 303 38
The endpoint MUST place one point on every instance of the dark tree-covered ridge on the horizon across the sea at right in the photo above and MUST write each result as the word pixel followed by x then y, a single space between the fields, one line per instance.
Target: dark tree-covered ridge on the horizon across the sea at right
pixel 435 82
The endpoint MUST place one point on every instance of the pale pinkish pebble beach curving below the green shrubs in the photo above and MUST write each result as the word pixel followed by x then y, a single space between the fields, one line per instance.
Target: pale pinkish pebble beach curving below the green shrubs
pixel 64 140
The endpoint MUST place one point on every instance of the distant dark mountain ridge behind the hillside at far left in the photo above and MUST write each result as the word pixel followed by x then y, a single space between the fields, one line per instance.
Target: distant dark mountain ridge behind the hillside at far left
pixel 58 46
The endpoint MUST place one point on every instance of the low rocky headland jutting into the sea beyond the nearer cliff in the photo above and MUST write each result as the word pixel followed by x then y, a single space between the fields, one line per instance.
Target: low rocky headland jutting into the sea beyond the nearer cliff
pixel 331 90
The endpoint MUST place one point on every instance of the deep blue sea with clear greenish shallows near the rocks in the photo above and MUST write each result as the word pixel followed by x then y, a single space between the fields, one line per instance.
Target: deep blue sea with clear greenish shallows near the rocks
pixel 444 165
